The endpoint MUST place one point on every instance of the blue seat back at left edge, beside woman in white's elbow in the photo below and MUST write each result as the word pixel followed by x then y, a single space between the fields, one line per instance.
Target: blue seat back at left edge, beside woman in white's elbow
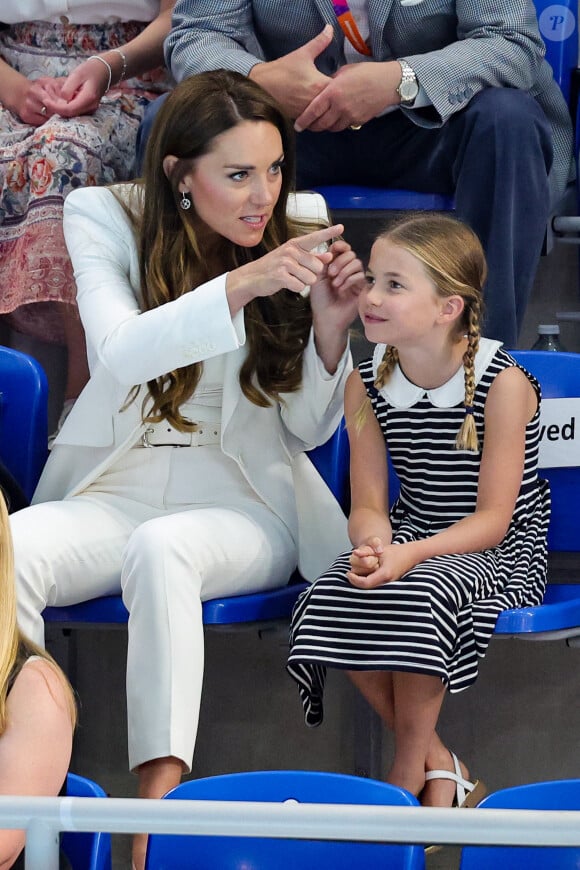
pixel 23 417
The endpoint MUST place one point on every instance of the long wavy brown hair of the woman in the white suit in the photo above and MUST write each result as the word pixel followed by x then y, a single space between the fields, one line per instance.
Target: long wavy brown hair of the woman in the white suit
pixel 177 252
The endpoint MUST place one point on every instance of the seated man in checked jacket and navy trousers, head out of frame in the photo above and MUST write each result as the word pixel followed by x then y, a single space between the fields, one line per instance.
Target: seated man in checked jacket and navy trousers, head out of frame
pixel 449 96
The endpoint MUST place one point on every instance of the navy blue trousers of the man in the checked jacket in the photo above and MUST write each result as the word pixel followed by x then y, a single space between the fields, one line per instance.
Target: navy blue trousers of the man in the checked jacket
pixel 494 156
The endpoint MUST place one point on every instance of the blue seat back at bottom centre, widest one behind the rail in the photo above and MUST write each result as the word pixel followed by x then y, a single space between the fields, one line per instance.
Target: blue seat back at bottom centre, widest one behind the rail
pixel 242 853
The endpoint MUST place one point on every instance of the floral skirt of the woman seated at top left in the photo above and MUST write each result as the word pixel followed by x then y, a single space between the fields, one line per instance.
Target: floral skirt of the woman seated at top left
pixel 39 166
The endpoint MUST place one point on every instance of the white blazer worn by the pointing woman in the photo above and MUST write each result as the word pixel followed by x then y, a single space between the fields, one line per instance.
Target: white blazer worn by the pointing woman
pixel 127 347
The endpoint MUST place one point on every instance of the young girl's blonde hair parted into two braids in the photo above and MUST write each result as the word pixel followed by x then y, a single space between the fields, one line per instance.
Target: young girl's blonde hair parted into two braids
pixel 453 258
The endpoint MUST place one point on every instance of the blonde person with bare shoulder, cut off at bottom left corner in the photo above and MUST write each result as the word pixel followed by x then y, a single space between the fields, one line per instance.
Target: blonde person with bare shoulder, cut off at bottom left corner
pixel 37 709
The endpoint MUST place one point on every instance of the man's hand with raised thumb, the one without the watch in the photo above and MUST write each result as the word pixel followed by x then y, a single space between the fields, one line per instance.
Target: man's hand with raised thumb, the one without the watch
pixel 293 79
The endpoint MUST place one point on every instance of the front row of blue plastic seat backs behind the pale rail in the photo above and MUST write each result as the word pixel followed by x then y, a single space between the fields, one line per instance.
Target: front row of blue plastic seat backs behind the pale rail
pixel 86 851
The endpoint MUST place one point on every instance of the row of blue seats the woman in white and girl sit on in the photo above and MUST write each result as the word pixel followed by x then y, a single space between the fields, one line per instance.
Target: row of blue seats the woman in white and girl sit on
pixel 23 427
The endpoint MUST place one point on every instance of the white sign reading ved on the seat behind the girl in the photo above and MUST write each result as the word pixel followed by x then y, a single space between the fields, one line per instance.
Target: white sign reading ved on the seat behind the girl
pixel 559 433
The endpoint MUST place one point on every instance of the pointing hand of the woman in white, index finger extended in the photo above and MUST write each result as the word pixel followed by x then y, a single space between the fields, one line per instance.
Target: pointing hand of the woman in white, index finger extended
pixel 293 266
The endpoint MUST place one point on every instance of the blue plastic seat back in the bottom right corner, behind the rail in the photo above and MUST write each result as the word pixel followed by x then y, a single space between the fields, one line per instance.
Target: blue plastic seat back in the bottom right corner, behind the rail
pixel 560 795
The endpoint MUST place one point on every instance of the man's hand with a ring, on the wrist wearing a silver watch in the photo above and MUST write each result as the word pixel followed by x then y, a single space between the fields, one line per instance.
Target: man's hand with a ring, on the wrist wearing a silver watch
pixel 357 93
